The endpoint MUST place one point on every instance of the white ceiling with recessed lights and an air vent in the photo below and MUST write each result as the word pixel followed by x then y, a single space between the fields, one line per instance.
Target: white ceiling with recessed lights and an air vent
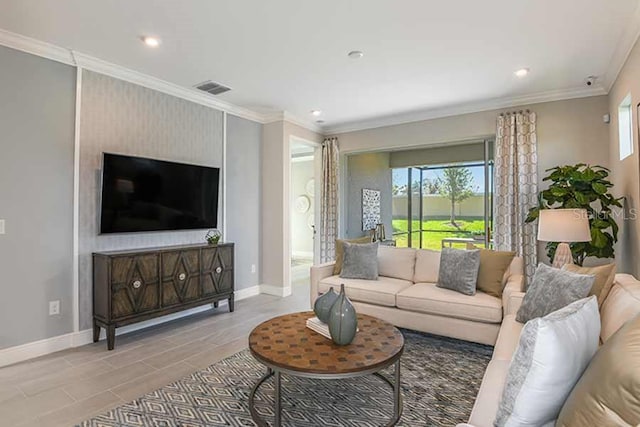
pixel 291 55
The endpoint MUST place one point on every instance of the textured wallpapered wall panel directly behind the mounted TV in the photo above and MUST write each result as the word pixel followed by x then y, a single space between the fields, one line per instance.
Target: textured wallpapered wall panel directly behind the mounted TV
pixel 121 117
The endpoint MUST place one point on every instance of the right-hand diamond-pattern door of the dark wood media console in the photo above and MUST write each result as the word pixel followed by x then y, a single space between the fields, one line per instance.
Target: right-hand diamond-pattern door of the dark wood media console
pixel 217 271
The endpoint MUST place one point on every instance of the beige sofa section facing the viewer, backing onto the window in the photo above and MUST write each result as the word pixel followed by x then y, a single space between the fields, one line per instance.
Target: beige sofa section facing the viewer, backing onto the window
pixel 406 295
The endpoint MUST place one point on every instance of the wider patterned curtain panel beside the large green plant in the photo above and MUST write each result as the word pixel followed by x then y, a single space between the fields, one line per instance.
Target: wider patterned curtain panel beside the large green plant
pixel 516 187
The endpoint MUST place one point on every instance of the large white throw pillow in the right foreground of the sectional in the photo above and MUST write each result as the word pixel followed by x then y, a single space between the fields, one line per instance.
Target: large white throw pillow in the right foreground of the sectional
pixel 552 354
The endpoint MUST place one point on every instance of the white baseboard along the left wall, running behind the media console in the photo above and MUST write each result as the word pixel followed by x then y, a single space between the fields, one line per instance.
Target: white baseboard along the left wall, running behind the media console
pixel 20 353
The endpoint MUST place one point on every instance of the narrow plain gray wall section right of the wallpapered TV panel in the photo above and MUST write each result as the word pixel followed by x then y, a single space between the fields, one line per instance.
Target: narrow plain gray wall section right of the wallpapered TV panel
pixel 244 141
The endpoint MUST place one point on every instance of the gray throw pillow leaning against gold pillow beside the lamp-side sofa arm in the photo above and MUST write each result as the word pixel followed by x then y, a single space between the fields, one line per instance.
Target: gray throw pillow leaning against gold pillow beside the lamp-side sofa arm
pixel 459 270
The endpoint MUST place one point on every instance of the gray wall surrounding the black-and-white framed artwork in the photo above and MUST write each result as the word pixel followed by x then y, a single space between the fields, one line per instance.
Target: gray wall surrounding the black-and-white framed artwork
pixel 371 171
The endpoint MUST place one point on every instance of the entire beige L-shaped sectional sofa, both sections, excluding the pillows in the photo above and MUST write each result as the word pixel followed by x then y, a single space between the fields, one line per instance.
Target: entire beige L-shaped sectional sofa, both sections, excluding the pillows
pixel 406 296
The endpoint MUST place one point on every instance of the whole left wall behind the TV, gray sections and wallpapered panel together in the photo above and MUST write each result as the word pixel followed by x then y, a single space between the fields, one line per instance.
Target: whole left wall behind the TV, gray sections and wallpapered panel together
pixel 37 185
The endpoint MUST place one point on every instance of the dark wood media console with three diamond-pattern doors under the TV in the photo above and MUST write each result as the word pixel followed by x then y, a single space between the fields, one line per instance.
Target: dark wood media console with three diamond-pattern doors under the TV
pixel 135 285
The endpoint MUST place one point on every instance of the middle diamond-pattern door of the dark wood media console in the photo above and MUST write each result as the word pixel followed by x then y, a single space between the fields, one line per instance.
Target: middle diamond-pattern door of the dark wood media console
pixel 180 277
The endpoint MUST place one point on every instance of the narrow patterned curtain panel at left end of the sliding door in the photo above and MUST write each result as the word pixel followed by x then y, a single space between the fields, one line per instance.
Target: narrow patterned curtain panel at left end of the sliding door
pixel 329 202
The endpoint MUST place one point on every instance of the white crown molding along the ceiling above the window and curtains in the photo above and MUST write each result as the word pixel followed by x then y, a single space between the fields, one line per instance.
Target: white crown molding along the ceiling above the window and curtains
pixel 468 108
